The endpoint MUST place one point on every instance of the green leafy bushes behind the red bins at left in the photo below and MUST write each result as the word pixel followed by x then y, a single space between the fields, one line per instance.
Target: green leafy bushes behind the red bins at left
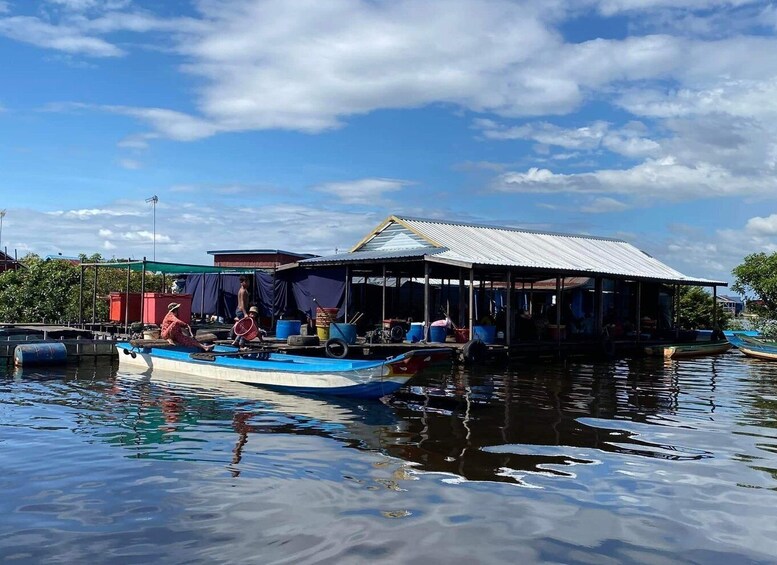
pixel 49 290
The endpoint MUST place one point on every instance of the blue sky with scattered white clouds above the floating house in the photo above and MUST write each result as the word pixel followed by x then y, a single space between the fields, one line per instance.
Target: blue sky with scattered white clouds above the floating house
pixel 302 124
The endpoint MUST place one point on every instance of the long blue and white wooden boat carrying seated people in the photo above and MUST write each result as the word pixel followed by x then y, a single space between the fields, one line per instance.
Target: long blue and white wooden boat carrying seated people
pixel 293 373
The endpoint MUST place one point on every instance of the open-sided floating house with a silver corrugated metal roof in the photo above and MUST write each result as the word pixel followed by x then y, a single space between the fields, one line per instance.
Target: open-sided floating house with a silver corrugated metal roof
pixel 505 275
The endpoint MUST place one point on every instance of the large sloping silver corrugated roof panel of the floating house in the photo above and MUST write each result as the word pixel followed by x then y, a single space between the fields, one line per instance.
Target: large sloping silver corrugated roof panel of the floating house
pixel 511 247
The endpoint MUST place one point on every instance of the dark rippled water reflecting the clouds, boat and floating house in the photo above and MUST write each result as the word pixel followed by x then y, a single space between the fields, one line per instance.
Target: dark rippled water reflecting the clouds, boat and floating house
pixel 633 461
